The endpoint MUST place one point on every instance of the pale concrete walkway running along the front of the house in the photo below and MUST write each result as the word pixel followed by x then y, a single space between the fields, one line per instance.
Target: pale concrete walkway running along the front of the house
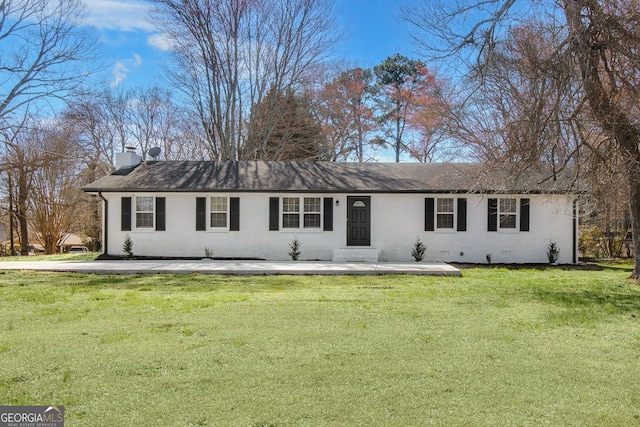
pixel 234 267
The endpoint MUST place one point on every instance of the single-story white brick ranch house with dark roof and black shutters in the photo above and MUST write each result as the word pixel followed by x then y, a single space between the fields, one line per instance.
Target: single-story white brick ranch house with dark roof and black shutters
pixel 336 211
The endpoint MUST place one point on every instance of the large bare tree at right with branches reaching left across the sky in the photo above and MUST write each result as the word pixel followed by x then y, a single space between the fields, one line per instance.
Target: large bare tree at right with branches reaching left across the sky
pixel 598 46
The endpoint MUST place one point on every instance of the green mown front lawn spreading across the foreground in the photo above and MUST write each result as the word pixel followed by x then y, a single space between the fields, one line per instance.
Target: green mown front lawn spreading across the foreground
pixel 495 347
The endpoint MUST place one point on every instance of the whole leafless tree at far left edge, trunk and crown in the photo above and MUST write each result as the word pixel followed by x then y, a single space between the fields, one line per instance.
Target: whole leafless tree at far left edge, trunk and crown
pixel 44 58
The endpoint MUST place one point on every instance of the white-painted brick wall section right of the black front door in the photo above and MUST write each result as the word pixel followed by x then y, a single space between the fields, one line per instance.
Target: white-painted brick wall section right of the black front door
pixel 551 219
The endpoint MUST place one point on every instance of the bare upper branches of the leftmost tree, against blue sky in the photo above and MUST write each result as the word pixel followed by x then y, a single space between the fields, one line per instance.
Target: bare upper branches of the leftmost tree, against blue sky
pixel 42 49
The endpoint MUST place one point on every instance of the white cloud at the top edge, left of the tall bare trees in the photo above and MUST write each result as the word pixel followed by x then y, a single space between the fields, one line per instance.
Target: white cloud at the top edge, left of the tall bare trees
pixel 122 15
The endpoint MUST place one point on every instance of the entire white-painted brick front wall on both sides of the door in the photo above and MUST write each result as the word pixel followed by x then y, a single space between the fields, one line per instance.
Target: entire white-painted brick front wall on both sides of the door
pixel 396 221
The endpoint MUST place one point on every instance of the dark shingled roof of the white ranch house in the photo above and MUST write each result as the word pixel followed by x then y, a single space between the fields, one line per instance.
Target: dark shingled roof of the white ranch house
pixel 317 177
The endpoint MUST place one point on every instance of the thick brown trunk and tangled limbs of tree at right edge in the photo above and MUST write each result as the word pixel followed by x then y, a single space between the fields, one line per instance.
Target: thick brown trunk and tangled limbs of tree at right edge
pixel 604 37
